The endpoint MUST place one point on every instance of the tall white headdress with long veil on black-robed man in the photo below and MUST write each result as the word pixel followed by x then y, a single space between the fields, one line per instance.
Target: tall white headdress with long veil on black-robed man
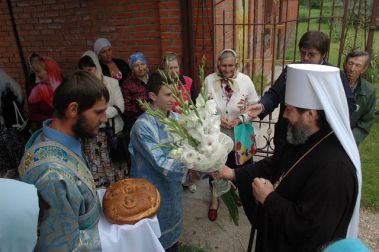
pixel 320 87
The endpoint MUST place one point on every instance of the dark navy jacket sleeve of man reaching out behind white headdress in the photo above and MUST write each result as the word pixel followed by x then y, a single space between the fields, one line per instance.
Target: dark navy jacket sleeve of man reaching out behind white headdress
pixel 274 96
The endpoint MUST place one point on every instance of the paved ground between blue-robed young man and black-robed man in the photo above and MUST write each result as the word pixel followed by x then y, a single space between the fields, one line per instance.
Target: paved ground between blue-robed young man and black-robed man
pixel 221 235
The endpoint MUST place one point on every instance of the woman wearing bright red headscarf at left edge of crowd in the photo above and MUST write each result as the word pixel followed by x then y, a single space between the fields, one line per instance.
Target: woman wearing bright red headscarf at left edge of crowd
pixel 40 101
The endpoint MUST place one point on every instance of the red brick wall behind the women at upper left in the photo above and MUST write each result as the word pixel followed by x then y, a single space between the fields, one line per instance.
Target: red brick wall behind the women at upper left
pixel 64 29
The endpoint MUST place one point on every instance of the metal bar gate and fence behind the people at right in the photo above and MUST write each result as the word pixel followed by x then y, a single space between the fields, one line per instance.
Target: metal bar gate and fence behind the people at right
pixel 265 34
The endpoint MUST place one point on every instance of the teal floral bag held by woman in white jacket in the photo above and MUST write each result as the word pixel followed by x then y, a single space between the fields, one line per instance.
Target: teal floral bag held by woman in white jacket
pixel 244 140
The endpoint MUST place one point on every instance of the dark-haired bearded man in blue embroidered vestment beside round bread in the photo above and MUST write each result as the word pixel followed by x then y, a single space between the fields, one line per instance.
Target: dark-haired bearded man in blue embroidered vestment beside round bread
pixel 55 164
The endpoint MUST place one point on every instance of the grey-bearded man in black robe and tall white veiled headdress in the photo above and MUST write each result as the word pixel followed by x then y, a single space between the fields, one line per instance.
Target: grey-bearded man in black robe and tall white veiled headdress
pixel 307 194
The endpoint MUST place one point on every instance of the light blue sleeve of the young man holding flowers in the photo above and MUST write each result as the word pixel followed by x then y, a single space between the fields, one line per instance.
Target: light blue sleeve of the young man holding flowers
pixel 145 141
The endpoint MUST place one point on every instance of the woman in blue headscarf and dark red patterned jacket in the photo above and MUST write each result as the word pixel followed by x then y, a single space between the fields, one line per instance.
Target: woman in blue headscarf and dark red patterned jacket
pixel 134 88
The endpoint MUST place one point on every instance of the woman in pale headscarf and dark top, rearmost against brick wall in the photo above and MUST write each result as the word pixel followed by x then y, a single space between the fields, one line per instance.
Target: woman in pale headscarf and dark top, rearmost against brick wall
pixel 112 67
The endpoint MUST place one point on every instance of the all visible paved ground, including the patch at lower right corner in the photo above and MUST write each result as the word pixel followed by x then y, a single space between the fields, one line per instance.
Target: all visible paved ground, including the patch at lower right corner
pixel 223 235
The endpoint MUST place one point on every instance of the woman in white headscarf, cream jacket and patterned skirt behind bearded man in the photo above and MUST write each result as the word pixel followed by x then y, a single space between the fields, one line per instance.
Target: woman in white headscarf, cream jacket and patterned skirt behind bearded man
pixel 96 149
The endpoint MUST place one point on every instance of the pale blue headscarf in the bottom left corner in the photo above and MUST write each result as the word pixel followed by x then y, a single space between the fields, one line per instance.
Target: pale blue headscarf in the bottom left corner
pixel 18 215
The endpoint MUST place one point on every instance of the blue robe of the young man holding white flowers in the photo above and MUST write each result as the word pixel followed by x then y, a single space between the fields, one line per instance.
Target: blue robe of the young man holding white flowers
pixel 151 162
